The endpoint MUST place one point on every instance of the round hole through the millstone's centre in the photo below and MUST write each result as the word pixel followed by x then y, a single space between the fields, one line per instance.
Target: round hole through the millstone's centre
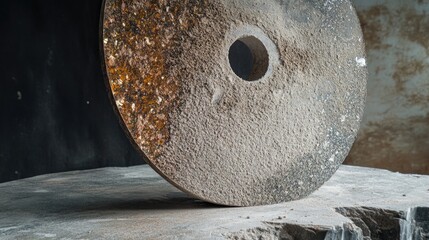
pixel 248 58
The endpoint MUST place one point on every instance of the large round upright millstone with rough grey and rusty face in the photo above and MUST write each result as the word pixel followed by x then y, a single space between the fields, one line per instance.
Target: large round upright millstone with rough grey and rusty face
pixel 238 102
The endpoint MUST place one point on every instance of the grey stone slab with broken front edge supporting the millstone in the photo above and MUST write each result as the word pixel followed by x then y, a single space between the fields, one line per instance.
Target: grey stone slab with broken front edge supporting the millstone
pixel 135 203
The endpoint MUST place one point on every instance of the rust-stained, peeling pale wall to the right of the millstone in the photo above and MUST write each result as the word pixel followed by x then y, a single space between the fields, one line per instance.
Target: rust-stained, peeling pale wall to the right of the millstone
pixel 395 129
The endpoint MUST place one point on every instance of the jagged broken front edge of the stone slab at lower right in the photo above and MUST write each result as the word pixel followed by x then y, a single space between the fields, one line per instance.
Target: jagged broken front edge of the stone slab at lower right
pixel 367 224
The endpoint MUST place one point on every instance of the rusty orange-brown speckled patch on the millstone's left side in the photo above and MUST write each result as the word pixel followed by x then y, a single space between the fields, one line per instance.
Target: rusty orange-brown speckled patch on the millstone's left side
pixel 140 38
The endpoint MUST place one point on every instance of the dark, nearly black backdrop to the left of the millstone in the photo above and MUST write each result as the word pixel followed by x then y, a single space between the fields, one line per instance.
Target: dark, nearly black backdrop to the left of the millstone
pixel 55 113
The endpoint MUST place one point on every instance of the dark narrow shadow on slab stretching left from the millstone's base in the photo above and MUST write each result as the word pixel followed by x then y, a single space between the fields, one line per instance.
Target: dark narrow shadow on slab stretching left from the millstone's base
pixel 51 204
